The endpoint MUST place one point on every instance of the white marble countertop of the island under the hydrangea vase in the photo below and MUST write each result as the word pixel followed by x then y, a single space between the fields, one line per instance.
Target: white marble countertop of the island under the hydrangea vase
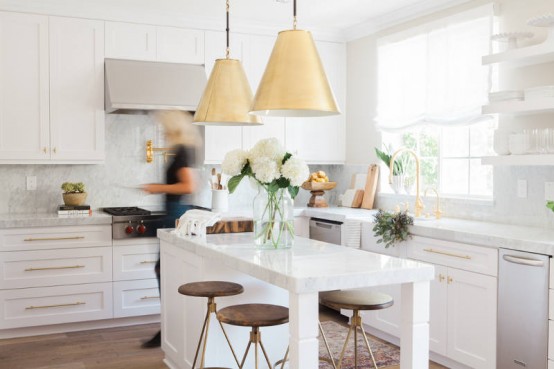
pixel 309 266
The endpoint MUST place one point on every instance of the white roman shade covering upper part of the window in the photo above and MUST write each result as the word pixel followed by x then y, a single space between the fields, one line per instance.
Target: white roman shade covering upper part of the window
pixel 435 76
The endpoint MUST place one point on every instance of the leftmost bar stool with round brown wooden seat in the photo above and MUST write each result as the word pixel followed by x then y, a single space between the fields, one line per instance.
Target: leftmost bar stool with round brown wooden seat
pixel 211 290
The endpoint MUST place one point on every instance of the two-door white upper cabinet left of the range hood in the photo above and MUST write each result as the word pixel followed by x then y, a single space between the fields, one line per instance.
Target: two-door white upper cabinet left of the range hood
pixel 52 86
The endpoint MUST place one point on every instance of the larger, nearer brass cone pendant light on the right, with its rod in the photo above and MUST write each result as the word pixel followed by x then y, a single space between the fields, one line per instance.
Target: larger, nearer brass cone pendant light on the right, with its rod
pixel 294 83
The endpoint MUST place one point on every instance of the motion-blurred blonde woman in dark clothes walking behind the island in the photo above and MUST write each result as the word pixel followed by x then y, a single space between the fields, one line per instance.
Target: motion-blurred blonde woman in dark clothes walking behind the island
pixel 183 138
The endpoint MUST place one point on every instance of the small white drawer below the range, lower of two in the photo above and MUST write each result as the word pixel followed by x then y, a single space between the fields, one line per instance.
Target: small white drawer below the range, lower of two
pixel 133 298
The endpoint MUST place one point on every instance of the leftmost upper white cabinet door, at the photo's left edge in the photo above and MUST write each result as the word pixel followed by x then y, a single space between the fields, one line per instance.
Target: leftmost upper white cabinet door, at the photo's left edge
pixel 24 110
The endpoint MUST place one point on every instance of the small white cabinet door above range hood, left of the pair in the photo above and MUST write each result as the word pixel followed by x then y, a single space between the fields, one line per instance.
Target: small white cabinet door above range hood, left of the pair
pixel 130 41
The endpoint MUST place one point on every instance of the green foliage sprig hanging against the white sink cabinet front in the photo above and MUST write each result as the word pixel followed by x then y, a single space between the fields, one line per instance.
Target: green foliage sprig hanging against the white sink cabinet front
pixel 392 228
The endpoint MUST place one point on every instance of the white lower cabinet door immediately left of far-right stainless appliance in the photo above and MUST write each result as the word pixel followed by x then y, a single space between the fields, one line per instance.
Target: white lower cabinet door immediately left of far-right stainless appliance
pixel 472 319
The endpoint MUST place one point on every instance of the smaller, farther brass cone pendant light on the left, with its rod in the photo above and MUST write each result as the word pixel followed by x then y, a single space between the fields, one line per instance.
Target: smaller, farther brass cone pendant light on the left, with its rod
pixel 227 97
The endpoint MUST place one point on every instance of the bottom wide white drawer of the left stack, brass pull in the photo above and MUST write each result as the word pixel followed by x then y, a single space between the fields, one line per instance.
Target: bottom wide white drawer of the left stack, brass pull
pixel 54 305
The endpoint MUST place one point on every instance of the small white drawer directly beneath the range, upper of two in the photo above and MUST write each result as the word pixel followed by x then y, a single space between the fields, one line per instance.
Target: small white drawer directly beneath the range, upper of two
pixel 135 262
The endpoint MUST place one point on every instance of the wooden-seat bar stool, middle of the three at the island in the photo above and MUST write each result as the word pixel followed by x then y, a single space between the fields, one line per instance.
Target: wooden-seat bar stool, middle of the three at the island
pixel 255 316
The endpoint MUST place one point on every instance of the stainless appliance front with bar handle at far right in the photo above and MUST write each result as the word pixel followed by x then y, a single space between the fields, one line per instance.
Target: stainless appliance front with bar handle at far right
pixel 522 340
